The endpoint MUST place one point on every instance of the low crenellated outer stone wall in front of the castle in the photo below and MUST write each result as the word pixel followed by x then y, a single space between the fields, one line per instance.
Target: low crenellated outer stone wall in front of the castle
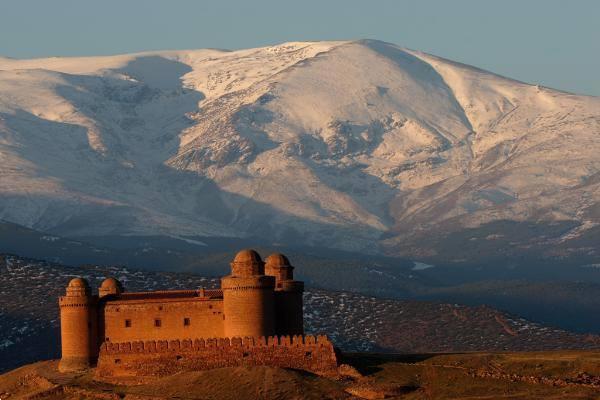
pixel 162 357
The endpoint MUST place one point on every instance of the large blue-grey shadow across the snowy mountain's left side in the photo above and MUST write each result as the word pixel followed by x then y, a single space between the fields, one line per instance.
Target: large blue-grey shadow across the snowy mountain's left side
pixel 116 167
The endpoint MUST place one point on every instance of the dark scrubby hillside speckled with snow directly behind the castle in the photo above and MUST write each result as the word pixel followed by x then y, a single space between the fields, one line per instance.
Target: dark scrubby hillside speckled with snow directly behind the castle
pixel 29 321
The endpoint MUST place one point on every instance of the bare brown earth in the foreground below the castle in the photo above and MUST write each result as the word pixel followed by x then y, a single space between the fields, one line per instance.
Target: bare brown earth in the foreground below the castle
pixel 527 375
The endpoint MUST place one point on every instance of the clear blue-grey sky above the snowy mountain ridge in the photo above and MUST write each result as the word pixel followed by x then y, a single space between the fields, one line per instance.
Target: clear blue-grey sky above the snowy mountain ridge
pixel 554 43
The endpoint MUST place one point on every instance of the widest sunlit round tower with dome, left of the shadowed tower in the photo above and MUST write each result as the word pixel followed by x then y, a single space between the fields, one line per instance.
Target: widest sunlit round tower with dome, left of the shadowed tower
pixel 248 297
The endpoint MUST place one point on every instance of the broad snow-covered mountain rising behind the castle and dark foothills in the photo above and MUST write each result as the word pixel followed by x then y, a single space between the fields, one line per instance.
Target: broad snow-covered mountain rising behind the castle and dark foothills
pixel 359 145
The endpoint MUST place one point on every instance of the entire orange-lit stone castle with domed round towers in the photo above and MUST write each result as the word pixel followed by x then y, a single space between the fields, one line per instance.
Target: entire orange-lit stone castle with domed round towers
pixel 256 318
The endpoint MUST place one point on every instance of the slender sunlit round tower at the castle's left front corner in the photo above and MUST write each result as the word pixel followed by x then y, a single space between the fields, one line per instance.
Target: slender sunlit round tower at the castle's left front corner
pixel 78 327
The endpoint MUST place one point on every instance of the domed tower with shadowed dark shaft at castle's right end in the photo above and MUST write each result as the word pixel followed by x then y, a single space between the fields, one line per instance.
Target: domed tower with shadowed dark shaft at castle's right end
pixel 288 296
